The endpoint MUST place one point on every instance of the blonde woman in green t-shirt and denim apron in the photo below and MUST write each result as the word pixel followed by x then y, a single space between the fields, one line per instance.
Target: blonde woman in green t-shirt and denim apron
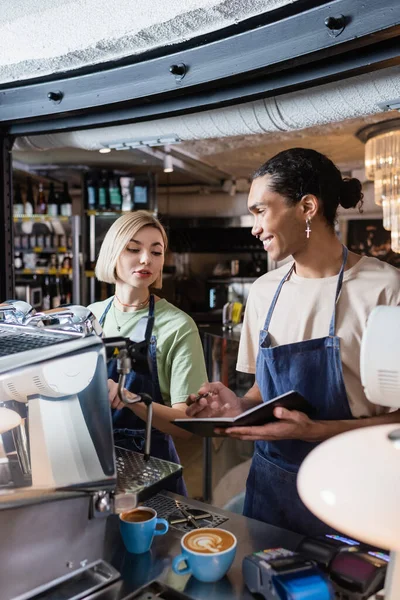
pixel 132 257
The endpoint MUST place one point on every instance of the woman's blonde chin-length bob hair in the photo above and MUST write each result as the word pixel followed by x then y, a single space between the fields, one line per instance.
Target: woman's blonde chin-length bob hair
pixel 116 240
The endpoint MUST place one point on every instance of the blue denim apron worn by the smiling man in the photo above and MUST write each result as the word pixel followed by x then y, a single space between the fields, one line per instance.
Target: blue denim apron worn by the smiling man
pixel 313 368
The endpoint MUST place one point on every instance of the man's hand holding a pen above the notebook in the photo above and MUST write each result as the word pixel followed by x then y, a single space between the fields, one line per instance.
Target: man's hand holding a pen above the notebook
pixel 217 401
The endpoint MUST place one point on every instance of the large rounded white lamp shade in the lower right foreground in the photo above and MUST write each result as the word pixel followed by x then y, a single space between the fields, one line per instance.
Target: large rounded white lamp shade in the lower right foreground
pixel 352 483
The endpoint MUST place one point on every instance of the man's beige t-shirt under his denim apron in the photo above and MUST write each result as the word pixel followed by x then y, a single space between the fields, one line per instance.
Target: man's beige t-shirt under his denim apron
pixel 304 310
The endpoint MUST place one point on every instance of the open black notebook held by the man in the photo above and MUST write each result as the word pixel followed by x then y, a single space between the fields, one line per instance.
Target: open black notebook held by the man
pixel 259 415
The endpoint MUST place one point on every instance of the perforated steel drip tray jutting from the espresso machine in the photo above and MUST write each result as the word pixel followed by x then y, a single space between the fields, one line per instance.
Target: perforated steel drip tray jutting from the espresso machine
pixel 138 479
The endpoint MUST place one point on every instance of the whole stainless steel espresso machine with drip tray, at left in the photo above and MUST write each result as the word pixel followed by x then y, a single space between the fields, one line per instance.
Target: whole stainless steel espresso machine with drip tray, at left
pixel 60 474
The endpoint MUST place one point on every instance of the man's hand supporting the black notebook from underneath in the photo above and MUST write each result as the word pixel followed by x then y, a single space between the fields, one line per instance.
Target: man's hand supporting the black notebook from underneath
pixel 292 425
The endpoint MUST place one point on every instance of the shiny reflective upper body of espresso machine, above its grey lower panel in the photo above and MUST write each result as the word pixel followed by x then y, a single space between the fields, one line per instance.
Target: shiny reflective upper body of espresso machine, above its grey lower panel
pixel 56 380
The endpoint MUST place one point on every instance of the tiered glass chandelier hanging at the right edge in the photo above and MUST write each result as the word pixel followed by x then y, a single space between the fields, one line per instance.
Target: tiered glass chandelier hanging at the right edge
pixel 382 165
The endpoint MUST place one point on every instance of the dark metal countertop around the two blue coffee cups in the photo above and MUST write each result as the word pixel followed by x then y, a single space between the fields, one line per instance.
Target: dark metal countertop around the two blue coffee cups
pixel 137 570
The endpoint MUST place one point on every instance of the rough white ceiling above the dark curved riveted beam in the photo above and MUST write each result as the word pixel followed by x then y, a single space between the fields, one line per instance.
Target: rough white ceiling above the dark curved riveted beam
pixel 40 37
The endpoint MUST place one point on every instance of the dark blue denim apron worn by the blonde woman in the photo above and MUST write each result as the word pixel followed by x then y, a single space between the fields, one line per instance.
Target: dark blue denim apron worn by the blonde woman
pixel 129 429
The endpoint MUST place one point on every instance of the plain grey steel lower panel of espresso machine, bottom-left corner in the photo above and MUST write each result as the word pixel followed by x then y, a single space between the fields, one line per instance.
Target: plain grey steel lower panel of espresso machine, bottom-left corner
pixel 46 541
